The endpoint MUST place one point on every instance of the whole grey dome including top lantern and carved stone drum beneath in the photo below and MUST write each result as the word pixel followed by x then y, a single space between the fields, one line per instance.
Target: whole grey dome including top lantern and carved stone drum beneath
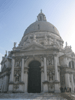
pixel 43 32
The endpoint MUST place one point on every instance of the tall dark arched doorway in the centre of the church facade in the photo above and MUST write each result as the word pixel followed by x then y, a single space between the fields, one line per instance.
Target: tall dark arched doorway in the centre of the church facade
pixel 34 77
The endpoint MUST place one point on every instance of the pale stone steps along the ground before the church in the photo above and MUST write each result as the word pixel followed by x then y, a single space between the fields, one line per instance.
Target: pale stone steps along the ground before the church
pixel 40 96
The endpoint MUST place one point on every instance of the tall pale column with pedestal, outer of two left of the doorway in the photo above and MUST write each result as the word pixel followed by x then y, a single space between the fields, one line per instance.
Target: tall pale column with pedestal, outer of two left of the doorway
pixel 12 76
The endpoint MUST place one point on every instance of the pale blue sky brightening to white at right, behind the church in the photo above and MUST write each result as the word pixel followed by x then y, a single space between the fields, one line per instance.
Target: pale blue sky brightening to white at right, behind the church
pixel 17 15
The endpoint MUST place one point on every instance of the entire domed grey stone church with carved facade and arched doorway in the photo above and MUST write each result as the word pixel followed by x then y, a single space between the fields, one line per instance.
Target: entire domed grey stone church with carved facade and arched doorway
pixel 39 63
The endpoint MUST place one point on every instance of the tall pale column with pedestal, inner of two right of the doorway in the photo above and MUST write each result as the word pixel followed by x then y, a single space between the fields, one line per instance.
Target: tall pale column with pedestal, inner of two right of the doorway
pixel 45 83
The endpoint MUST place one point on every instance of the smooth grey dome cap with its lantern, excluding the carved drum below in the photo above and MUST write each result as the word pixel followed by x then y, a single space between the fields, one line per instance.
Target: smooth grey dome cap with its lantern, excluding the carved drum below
pixel 41 25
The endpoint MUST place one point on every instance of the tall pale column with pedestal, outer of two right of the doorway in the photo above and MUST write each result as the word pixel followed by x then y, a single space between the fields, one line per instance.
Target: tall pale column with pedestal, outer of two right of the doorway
pixel 57 85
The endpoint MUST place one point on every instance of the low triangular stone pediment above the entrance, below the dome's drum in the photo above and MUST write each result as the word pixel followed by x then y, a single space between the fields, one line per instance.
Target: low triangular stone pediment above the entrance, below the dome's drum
pixel 33 46
